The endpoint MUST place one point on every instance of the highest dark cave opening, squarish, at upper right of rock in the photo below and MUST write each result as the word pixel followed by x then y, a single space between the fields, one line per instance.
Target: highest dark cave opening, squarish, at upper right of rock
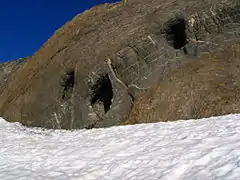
pixel 176 33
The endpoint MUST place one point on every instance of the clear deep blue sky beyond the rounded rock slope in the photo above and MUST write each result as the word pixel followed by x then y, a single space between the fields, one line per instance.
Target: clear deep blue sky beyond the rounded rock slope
pixel 27 24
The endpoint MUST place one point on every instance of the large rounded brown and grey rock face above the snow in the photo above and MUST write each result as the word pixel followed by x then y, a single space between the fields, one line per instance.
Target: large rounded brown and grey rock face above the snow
pixel 145 61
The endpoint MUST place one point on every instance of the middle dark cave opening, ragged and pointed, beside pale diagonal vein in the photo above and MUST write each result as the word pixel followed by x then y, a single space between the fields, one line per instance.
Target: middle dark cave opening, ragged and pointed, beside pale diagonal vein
pixel 102 91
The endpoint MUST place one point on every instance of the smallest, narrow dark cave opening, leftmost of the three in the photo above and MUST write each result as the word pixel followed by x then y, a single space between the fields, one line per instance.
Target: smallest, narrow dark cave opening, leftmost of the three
pixel 68 83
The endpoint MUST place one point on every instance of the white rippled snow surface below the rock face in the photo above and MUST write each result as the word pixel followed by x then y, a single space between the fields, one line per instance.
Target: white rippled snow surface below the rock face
pixel 183 150
